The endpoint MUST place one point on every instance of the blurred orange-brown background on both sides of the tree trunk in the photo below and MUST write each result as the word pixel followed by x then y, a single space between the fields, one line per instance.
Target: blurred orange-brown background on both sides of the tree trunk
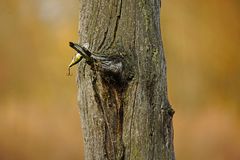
pixel 39 117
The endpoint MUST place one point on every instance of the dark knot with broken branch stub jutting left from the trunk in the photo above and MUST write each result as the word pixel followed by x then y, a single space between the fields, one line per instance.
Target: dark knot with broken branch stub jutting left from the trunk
pixel 112 65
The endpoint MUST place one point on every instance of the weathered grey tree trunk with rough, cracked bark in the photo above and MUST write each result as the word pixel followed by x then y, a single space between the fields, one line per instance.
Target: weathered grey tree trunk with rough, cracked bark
pixel 122 95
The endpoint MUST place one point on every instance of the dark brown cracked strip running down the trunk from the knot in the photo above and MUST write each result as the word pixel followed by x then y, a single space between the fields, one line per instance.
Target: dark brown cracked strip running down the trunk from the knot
pixel 112 82
